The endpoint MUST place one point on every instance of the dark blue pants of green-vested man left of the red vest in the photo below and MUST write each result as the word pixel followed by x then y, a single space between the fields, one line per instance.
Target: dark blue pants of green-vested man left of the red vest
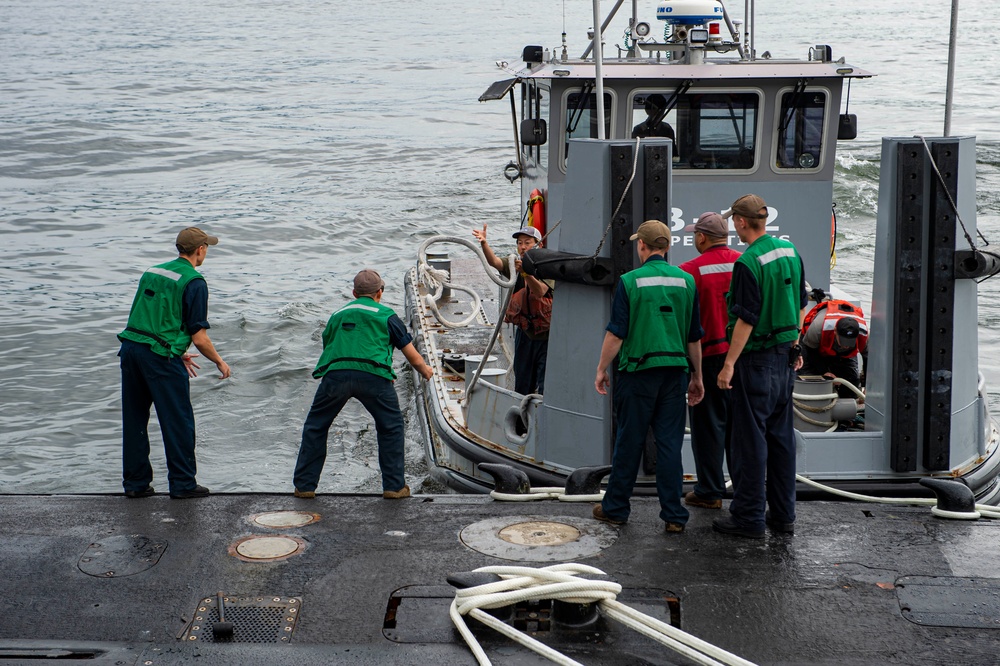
pixel 648 398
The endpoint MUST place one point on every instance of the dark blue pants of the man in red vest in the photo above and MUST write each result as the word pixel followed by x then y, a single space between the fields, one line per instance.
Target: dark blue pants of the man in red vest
pixel 710 428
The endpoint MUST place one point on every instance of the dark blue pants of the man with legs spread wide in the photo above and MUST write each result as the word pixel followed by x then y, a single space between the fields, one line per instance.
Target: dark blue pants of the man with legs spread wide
pixel 378 396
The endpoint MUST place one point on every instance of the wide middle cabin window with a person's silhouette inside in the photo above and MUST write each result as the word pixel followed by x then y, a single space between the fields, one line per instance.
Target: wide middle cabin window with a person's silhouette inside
pixel 711 130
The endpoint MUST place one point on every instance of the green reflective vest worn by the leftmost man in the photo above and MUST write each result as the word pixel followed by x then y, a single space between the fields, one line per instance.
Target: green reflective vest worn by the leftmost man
pixel 156 315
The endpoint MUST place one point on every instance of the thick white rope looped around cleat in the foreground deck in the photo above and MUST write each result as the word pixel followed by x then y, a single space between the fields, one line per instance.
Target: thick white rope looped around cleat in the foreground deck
pixel 562 582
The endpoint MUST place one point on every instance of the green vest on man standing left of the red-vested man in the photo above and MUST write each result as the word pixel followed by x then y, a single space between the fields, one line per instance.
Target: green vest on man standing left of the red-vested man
pixel 661 302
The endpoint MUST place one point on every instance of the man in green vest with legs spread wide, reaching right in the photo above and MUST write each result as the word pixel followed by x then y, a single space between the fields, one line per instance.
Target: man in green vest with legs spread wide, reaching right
pixel 356 362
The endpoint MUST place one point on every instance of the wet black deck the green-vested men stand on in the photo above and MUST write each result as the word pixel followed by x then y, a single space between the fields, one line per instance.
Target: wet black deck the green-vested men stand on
pixel 830 594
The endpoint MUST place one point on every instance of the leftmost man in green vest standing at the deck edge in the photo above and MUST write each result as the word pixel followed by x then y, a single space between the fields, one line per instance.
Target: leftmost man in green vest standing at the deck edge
pixel 169 313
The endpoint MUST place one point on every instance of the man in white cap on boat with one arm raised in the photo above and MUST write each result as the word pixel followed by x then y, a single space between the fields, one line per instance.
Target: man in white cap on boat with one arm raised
pixel 530 311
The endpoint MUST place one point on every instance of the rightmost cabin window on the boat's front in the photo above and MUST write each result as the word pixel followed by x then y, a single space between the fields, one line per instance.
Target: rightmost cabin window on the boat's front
pixel 800 129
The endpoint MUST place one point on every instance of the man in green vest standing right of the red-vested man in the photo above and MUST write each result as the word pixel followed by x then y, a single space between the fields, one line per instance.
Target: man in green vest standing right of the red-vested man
pixel 767 300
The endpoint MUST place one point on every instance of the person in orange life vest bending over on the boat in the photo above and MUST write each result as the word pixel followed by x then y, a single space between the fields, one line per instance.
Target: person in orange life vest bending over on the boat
pixel 834 334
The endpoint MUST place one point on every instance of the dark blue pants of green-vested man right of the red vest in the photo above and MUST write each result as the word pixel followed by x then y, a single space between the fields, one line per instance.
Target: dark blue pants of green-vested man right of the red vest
pixel 763 441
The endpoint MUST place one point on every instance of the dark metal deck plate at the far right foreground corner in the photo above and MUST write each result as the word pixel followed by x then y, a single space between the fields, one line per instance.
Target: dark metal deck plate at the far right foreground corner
pixel 948 601
